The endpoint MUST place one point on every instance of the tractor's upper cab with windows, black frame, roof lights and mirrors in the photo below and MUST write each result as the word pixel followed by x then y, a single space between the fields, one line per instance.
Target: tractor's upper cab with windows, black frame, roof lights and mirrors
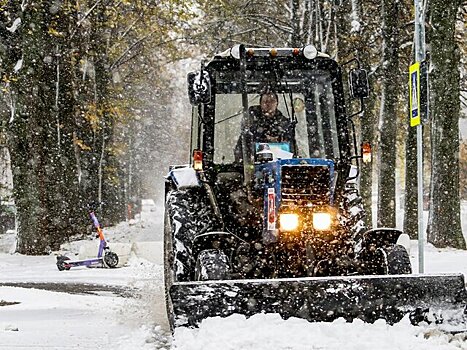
pixel 310 95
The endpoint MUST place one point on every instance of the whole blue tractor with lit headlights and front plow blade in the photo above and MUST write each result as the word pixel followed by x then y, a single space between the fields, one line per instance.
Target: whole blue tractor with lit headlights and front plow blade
pixel 277 227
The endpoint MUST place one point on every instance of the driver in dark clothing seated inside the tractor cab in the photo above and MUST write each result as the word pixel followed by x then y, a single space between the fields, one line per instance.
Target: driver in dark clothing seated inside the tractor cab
pixel 268 124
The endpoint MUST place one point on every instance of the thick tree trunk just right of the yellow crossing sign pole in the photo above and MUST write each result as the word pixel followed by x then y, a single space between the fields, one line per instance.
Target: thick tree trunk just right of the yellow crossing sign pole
pixel 444 225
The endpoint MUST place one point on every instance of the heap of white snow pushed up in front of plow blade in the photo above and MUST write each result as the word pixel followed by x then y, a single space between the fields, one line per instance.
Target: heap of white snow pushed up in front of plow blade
pixel 271 332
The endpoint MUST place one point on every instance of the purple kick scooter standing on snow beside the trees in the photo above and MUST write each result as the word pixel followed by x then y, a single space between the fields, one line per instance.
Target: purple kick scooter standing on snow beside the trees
pixel 109 259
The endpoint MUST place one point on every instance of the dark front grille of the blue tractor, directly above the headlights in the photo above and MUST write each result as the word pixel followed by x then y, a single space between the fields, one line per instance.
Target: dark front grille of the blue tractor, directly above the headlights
pixel 305 184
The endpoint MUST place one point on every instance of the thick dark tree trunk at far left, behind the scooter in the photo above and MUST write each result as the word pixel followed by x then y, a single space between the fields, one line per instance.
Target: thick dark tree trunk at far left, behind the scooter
pixel 40 133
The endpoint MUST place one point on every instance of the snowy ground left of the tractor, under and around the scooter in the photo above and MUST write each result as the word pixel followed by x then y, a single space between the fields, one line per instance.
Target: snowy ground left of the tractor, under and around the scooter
pixel 85 308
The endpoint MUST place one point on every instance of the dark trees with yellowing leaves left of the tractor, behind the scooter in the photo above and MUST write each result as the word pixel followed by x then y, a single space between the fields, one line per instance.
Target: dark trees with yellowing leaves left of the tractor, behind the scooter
pixel 65 66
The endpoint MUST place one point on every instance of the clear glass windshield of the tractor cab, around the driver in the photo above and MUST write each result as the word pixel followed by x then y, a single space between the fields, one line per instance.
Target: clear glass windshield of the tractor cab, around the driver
pixel 308 103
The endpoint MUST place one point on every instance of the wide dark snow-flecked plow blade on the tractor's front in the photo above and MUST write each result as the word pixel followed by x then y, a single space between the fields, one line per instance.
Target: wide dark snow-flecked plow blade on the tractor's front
pixel 320 298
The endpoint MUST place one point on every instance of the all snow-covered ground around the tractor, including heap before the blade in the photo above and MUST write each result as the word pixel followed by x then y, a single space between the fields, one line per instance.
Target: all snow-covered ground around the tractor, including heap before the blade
pixel 106 318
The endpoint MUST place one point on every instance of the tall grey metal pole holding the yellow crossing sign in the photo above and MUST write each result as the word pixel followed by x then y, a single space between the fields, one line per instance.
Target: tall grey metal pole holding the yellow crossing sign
pixel 419 57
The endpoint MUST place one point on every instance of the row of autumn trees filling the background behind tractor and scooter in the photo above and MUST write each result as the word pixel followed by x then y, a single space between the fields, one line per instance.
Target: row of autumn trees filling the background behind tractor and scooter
pixel 86 84
